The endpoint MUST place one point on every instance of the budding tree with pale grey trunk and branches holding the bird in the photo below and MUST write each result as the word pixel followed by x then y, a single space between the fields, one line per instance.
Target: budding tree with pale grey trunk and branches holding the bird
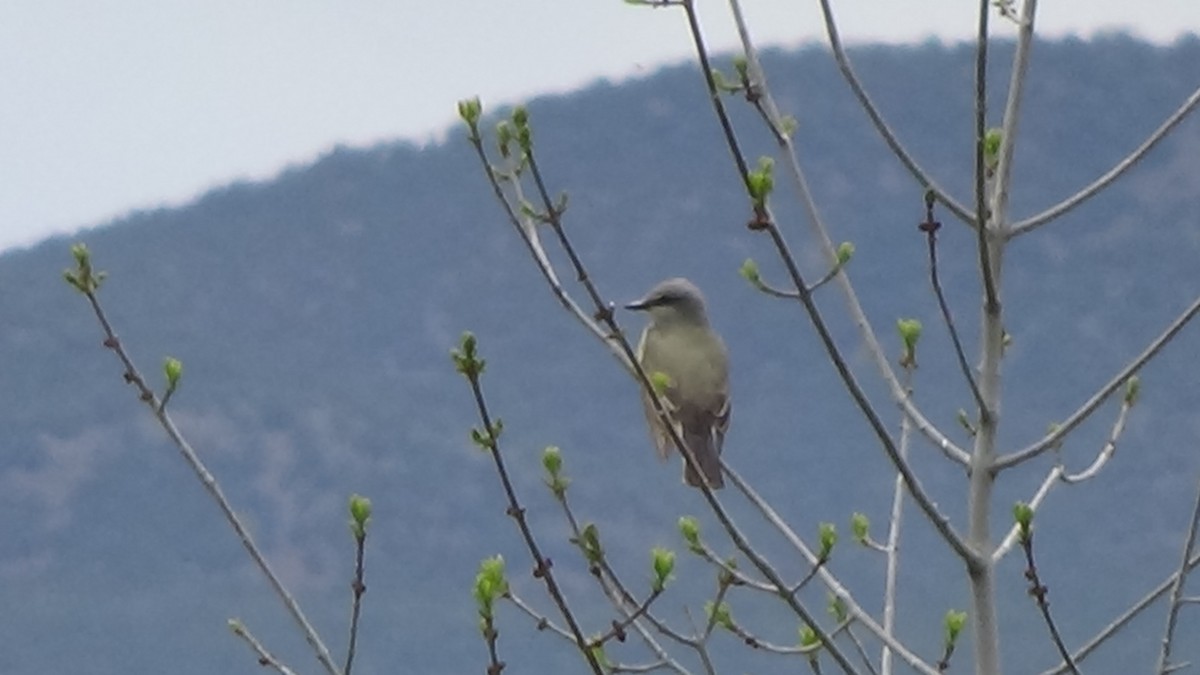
pixel 518 172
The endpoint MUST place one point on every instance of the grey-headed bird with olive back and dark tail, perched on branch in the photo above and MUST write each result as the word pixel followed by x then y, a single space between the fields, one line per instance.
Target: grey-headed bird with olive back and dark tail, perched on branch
pixel 680 350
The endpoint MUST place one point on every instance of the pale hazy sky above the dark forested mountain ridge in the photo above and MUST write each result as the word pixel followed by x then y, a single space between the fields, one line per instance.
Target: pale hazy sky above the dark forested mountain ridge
pixel 111 106
